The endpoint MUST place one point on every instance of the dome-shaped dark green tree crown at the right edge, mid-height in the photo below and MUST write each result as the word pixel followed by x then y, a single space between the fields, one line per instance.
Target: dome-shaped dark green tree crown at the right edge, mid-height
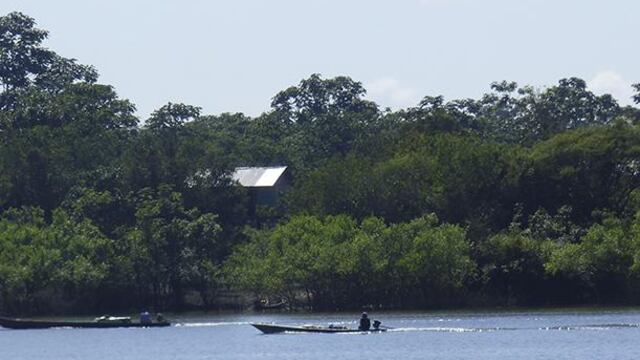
pixel 588 169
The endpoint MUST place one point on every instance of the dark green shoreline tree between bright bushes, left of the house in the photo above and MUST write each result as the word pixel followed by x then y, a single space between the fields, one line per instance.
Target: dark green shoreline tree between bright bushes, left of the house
pixel 173 247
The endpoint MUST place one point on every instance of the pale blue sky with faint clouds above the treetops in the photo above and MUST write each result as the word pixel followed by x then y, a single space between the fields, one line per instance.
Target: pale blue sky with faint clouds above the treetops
pixel 234 56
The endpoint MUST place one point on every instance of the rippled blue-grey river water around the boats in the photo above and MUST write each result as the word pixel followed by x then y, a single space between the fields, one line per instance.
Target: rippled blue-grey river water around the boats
pixel 613 334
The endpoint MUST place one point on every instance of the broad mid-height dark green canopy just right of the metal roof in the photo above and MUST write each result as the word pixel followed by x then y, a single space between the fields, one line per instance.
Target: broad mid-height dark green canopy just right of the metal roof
pixel 428 174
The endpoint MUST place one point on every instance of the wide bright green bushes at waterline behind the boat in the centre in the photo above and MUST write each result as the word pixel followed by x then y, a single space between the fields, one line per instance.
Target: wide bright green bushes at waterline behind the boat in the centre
pixel 340 263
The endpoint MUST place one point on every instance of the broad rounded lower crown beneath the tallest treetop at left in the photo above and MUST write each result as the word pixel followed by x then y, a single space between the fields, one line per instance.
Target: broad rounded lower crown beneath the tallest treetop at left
pixel 57 141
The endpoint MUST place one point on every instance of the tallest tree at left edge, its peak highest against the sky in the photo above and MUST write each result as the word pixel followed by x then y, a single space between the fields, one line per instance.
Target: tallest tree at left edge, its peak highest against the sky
pixel 58 127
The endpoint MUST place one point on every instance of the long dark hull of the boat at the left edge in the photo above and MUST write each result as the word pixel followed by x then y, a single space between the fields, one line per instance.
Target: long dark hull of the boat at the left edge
pixel 11 323
